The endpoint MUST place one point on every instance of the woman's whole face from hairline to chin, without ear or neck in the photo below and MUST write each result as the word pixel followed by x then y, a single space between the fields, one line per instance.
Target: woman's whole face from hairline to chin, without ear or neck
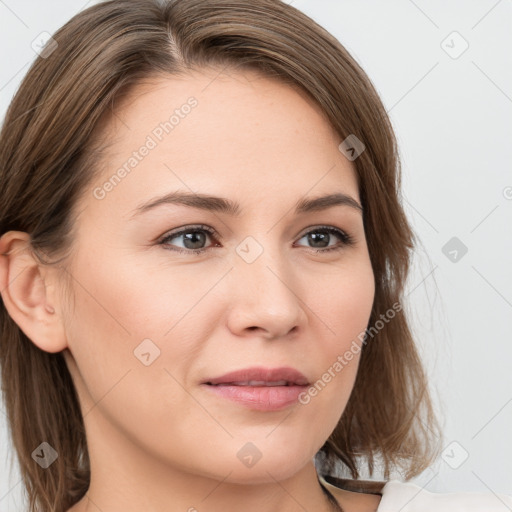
pixel 151 325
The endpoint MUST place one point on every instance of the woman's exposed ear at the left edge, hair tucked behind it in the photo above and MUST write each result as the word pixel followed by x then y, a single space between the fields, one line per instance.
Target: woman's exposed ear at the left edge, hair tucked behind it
pixel 28 292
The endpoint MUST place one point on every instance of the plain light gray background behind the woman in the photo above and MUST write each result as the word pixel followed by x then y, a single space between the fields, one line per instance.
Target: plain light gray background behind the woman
pixel 453 119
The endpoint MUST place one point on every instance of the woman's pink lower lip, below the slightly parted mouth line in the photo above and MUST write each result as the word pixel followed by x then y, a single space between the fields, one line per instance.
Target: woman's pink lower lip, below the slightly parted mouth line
pixel 260 398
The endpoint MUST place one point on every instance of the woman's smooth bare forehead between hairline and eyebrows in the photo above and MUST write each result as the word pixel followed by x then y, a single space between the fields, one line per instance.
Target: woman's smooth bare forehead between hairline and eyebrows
pixel 208 130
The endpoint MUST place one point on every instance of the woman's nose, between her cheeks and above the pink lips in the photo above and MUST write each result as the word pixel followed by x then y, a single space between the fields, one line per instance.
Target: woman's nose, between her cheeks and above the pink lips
pixel 265 298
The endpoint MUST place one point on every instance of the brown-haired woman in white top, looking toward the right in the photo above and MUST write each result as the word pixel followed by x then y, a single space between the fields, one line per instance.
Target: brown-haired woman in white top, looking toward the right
pixel 203 258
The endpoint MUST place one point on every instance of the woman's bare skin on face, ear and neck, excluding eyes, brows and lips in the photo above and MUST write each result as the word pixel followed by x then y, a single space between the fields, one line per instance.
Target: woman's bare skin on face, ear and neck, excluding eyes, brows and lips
pixel 158 440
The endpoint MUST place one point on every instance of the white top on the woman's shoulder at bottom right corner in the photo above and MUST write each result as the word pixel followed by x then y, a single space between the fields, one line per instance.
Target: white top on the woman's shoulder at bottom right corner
pixel 408 497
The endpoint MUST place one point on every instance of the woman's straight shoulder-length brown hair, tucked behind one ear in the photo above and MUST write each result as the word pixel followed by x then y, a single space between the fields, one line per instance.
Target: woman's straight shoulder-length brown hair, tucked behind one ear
pixel 50 150
